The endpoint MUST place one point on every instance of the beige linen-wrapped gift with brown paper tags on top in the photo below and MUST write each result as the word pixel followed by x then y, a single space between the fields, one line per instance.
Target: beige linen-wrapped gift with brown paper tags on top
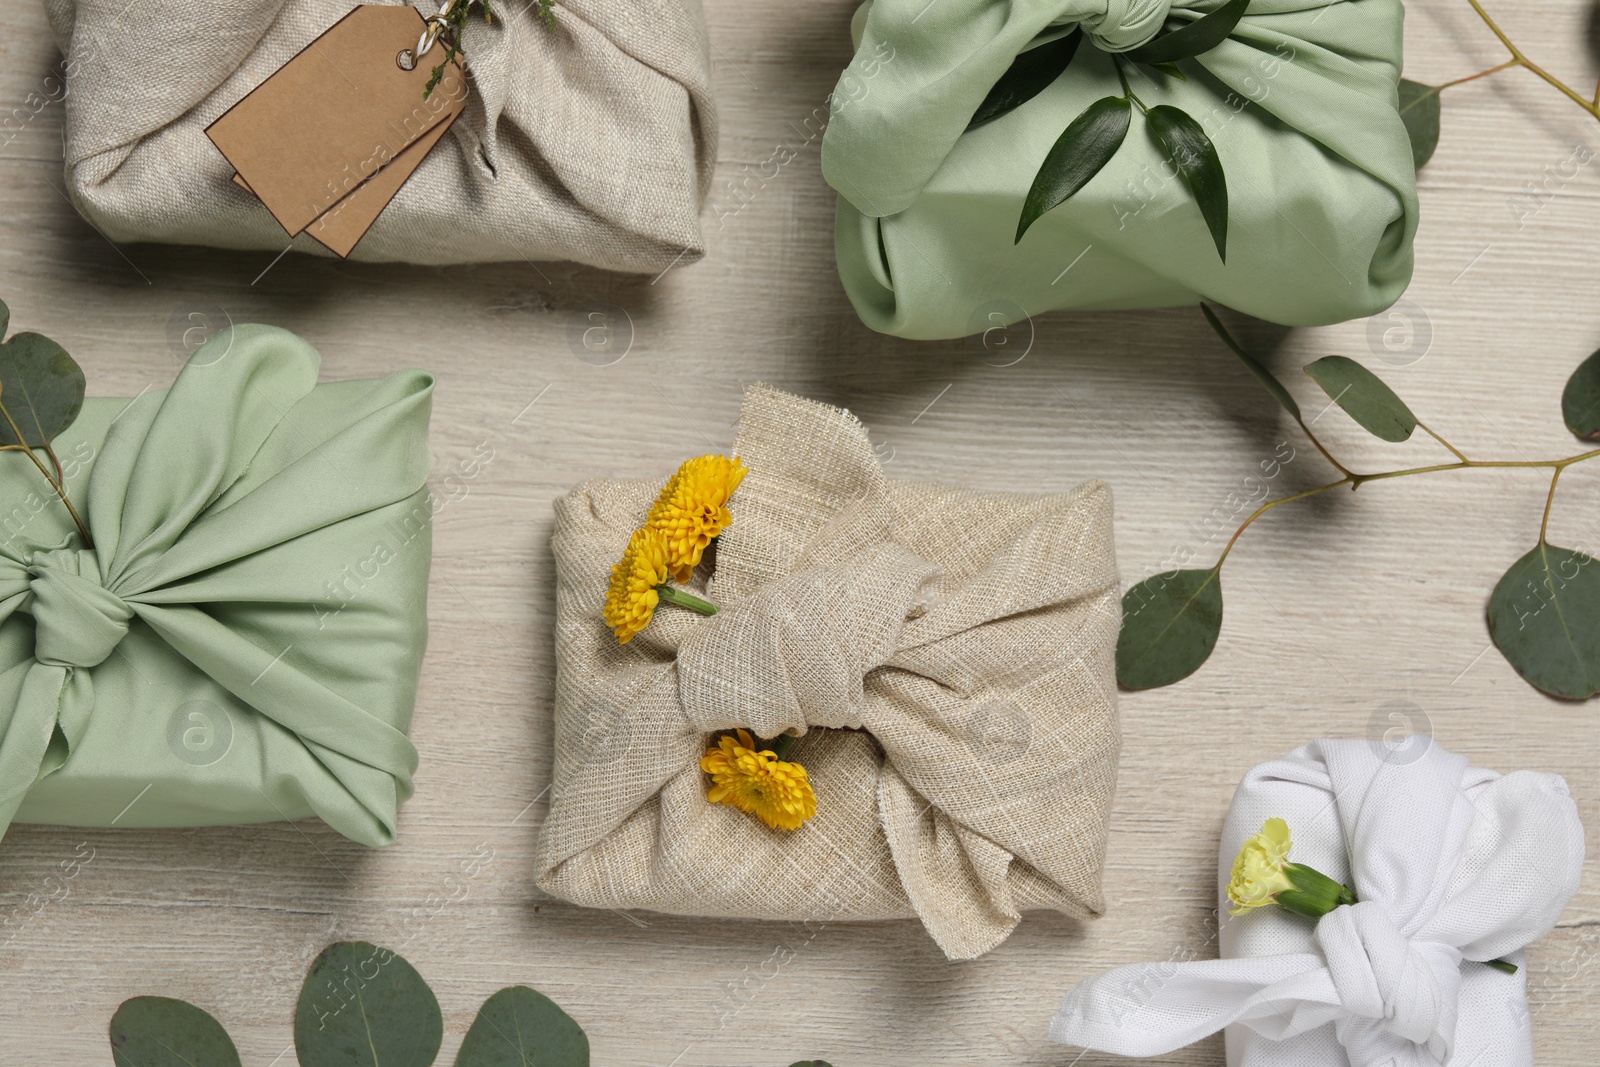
pixel 591 142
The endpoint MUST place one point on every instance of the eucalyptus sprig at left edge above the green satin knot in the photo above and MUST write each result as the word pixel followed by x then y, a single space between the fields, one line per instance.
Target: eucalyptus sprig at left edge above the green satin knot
pixel 41 396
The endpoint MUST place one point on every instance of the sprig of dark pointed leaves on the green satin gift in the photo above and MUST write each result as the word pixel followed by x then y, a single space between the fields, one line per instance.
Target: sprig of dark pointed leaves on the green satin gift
pixel 1095 137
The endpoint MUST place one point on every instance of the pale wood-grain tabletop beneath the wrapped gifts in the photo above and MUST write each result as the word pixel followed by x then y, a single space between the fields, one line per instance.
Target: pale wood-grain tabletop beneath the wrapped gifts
pixel 1335 607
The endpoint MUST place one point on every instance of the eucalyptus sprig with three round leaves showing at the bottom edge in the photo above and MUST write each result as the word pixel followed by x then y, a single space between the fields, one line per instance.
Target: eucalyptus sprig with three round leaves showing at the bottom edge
pixel 362 1007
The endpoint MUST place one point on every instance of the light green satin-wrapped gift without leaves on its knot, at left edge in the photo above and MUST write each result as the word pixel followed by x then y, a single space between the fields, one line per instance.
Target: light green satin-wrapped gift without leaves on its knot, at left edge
pixel 244 642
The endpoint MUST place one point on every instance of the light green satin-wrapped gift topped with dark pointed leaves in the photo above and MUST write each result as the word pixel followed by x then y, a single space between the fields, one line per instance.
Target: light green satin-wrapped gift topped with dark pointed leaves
pixel 1302 105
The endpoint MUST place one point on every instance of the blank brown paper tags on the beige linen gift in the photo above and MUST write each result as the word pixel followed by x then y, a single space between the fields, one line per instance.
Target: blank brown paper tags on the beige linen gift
pixel 329 140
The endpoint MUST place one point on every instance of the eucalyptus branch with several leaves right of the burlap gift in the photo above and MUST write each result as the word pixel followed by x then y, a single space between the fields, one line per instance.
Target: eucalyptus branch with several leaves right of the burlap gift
pixel 1543 615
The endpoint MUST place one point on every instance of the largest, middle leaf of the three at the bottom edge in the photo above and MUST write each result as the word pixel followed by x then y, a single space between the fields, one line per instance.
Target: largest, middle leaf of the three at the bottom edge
pixel 366 1007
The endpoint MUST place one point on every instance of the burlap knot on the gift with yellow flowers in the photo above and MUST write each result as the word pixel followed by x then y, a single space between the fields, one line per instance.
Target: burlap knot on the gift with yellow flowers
pixel 798 653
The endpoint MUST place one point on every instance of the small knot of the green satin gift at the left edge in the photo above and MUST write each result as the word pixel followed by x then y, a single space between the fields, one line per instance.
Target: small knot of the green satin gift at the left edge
pixel 78 621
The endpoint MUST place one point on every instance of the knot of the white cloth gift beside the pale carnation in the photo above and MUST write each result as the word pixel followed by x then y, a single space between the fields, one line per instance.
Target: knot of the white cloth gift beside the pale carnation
pixel 1409 988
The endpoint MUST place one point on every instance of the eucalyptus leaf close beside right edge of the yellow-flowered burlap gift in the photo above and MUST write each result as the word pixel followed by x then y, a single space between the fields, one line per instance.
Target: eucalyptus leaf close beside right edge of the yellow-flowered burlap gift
pixel 1169 628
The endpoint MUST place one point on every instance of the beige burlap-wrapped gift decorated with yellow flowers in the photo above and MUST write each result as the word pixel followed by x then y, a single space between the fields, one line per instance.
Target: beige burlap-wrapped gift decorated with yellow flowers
pixel 945 655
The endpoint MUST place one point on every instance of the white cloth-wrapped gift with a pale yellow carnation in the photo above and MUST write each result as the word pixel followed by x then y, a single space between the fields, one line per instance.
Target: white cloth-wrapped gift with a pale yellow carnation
pixel 1452 866
